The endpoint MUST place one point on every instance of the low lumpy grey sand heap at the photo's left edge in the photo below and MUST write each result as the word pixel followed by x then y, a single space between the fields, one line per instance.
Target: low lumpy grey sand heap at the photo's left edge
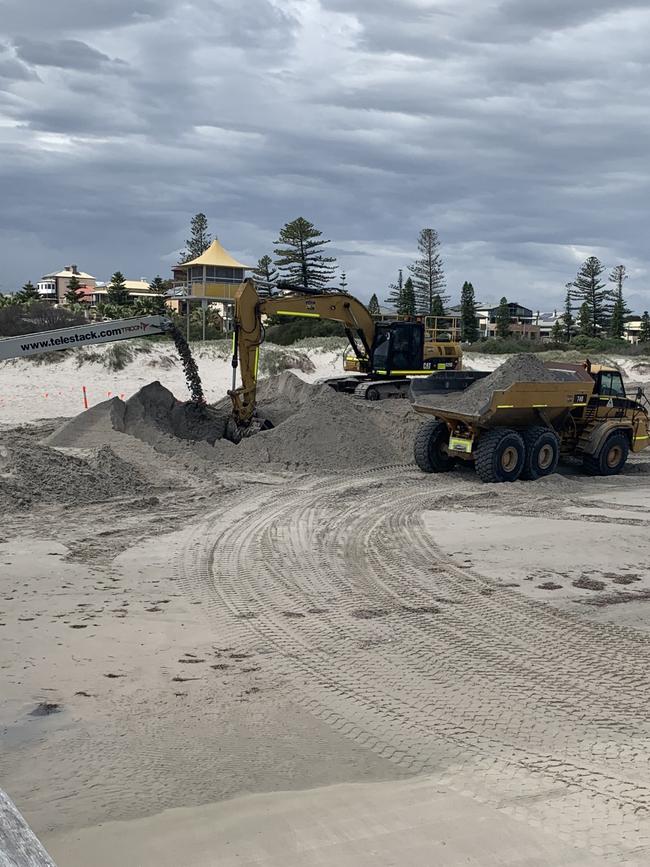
pixel 31 474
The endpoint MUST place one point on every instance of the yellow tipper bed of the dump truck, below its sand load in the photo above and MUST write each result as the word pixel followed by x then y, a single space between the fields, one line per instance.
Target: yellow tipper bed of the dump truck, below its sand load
pixel 519 405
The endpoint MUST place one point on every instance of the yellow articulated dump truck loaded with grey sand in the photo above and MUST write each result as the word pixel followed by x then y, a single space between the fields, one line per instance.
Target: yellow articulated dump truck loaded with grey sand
pixel 521 431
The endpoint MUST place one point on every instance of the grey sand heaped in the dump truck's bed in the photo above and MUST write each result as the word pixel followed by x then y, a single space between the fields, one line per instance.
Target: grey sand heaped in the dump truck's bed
pixel 519 368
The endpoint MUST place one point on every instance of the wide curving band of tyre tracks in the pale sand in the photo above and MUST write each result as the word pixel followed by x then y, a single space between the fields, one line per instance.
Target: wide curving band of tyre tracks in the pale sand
pixel 427 663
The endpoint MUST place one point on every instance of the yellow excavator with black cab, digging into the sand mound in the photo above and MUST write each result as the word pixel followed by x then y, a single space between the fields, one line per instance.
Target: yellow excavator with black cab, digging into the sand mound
pixel 385 354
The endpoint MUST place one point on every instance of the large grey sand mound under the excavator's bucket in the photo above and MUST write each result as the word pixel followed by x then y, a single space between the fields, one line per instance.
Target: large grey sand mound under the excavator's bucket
pixel 315 428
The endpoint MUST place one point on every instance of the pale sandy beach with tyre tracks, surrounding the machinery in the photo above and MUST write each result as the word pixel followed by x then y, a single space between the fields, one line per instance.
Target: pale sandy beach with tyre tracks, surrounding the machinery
pixel 230 657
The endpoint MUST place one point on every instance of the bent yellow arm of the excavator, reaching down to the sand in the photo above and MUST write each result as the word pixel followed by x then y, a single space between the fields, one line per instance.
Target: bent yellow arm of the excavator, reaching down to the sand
pixel 249 334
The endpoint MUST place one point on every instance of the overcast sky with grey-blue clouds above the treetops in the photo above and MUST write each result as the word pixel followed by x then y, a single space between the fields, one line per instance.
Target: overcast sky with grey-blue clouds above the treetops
pixel 519 129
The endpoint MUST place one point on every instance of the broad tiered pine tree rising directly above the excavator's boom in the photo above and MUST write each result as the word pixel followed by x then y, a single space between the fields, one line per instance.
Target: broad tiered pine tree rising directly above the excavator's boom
pixel 299 251
